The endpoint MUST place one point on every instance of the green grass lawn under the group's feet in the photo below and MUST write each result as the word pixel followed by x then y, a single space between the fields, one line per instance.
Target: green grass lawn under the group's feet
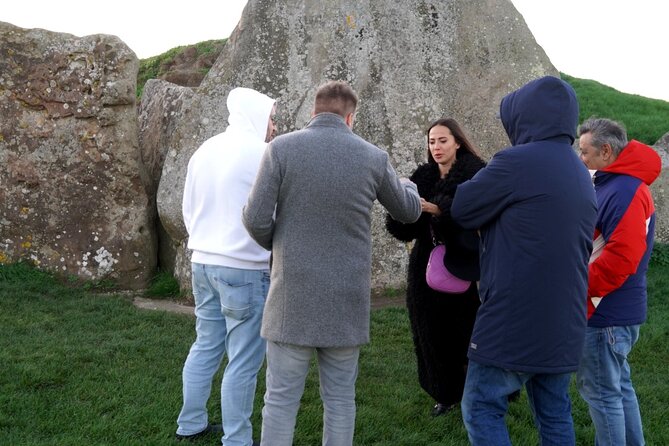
pixel 80 368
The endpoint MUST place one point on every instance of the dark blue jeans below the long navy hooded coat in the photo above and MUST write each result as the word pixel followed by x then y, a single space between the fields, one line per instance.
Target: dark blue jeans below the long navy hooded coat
pixel 485 403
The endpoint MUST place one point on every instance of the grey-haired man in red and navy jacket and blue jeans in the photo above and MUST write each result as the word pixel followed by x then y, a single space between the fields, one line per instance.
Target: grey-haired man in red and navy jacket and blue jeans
pixel 617 296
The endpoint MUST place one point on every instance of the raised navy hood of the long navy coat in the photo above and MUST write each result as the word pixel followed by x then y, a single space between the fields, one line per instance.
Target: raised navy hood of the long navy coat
pixel 545 108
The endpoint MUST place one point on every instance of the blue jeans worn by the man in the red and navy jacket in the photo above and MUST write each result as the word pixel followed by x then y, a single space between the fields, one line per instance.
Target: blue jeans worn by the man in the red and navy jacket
pixel 604 382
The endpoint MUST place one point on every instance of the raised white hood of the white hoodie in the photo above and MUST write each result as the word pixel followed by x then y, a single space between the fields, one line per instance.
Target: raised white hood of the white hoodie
pixel 249 111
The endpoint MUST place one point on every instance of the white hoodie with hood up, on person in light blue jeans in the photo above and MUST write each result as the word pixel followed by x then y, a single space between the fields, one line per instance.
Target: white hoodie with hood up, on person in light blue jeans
pixel 220 176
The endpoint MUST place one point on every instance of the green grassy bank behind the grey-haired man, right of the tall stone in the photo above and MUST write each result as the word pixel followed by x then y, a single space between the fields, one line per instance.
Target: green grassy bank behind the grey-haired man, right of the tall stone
pixel 645 119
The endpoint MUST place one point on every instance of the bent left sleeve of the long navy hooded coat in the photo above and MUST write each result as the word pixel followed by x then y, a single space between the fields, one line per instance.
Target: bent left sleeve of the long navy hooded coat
pixel 480 200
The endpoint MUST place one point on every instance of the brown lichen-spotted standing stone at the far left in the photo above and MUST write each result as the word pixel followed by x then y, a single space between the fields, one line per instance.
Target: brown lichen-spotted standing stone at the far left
pixel 73 192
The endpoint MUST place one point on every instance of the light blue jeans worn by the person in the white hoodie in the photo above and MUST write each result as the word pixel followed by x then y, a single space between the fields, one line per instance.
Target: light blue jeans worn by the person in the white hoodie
pixel 229 305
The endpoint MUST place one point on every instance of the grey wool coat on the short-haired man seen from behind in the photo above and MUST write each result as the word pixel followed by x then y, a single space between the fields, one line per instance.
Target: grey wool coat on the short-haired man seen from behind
pixel 311 206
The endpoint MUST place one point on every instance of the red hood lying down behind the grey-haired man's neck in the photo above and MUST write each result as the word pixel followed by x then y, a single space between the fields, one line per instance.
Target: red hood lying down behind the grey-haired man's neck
pixel 637 160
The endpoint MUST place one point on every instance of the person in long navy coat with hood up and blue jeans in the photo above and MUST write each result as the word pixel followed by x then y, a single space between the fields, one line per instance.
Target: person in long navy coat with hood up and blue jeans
pixel 535 207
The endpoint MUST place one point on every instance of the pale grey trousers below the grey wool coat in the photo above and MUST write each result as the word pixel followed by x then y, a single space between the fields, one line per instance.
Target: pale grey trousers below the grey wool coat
pixel 287 367
